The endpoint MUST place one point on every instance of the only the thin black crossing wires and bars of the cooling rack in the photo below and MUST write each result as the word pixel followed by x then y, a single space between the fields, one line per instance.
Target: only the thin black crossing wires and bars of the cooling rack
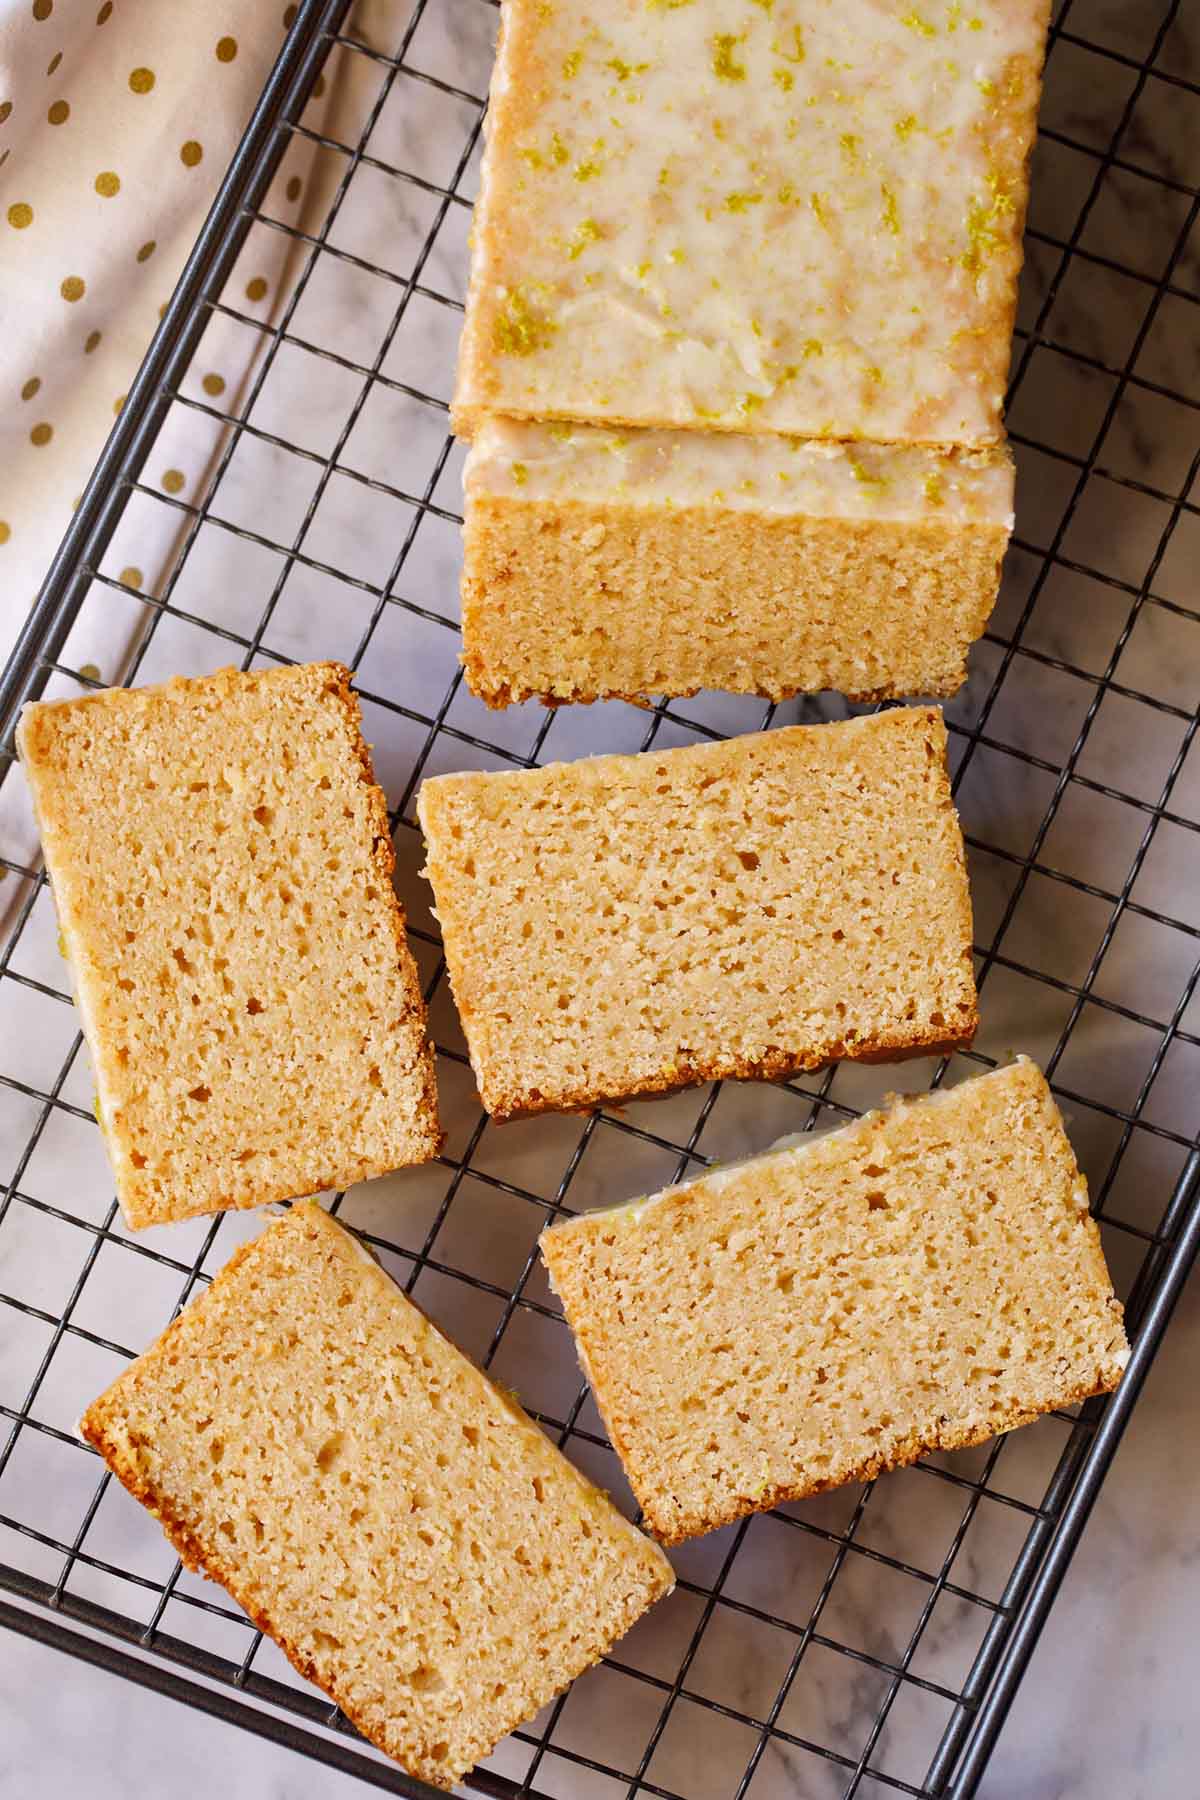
pixel 978 1704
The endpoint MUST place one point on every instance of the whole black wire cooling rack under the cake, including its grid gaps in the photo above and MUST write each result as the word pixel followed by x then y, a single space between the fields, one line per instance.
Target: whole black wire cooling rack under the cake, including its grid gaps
pixel 868 1642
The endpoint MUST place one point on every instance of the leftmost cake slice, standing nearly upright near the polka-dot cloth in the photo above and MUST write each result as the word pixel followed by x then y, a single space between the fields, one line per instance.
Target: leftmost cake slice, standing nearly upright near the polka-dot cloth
pixel 222 870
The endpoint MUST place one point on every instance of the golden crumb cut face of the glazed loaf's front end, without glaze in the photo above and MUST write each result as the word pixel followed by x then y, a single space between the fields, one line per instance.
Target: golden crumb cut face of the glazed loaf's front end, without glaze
pixel 577 602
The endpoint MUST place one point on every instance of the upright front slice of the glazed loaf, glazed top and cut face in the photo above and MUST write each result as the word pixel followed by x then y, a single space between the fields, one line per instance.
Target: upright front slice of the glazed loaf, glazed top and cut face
pixel 627 564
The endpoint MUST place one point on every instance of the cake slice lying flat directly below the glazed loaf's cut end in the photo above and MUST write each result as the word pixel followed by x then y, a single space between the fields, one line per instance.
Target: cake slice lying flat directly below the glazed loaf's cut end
pixel 632 924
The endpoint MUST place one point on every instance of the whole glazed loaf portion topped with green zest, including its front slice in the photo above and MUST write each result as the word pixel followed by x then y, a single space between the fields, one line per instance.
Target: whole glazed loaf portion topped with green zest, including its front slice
pixel 758 265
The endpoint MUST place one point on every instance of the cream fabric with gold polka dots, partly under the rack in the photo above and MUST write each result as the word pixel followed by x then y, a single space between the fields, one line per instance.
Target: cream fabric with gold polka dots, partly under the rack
pixel 208 60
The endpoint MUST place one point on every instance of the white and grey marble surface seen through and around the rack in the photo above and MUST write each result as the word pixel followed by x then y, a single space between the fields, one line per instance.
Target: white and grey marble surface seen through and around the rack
pixel 1107 1711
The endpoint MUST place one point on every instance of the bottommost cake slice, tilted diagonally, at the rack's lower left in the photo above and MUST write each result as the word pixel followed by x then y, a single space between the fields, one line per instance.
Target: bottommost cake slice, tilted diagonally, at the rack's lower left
pixel 409 1538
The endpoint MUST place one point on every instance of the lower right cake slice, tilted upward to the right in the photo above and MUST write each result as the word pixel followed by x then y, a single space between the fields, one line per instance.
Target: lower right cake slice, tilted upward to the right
pixel 918 1281
